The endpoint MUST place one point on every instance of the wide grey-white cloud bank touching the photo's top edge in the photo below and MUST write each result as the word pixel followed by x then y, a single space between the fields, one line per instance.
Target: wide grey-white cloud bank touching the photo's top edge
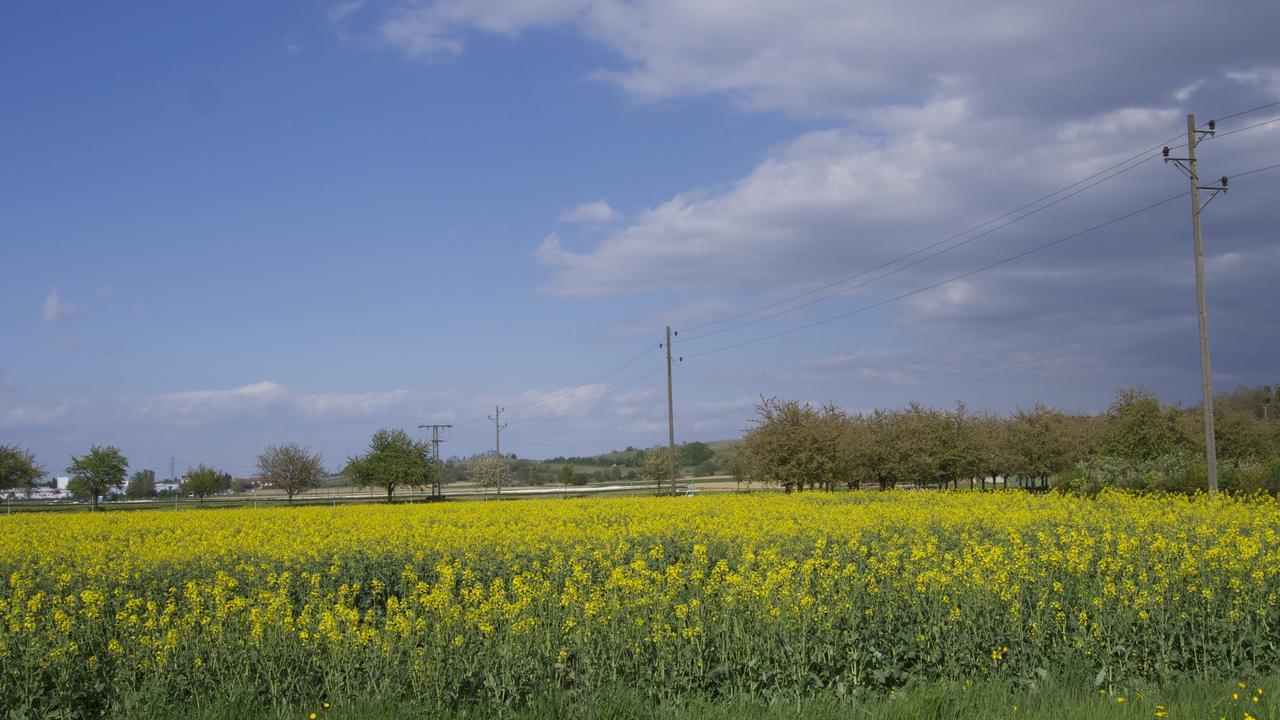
pixel 831 58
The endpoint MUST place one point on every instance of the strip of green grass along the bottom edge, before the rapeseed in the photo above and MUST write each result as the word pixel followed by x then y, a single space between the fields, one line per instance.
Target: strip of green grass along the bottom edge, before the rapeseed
pixel 1063 700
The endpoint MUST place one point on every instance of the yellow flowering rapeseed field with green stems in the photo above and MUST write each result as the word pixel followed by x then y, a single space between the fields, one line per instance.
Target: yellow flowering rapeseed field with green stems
pixel 491 603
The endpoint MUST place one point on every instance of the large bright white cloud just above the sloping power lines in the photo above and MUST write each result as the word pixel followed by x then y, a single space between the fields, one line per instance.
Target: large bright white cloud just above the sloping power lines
pixel 840 199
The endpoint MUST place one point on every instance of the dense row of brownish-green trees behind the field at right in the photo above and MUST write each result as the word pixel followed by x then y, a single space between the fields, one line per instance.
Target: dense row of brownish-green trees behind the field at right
pixel 1139 443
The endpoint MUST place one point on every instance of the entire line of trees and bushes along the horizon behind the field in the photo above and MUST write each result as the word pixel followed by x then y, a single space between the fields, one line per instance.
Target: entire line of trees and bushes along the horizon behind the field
pixel 1140 443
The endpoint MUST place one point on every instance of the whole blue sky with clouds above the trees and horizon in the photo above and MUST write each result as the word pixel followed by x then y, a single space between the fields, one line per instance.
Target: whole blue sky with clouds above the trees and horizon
pixel 255 224
